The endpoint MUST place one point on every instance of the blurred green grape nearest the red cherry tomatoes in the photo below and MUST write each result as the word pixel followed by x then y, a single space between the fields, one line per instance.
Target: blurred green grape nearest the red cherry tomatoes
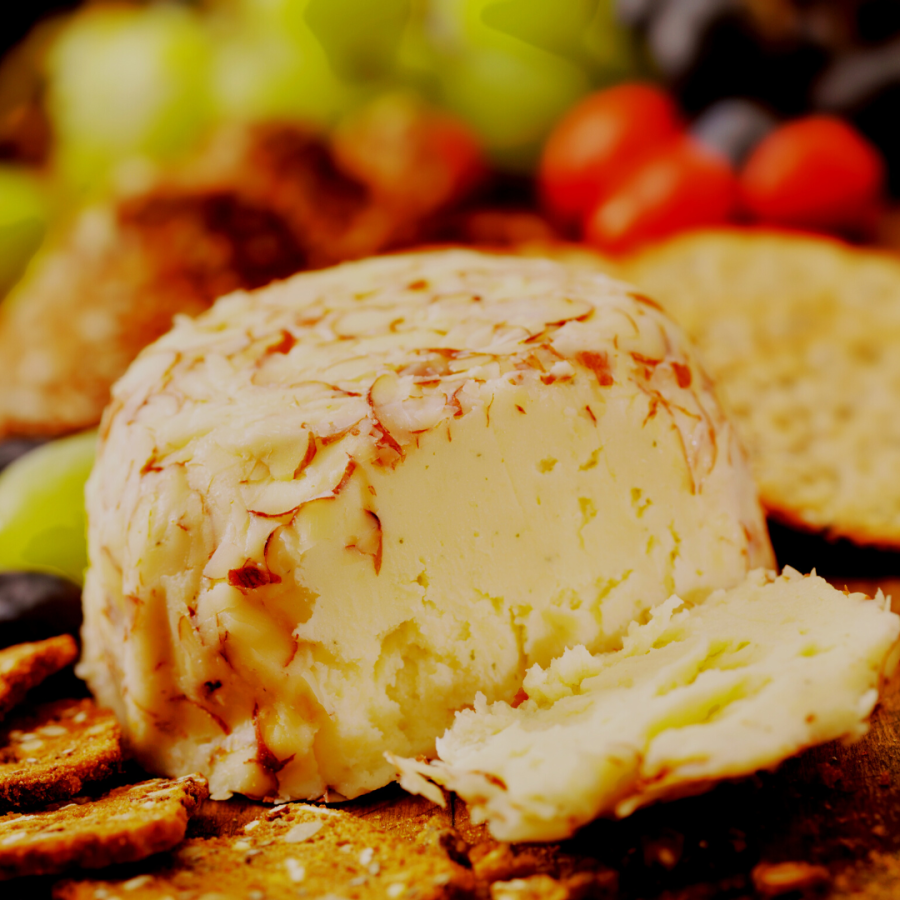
pixel 511 98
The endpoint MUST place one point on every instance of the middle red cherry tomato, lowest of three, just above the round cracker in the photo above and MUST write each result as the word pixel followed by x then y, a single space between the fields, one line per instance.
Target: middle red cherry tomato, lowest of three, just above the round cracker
pixel 682 185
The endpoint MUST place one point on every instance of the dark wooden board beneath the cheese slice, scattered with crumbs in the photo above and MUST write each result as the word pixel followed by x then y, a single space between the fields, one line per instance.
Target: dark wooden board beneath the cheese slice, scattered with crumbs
pixel 835 807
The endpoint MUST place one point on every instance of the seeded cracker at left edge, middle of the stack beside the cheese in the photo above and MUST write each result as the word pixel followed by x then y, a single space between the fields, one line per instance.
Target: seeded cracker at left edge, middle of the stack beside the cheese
pixel 48 753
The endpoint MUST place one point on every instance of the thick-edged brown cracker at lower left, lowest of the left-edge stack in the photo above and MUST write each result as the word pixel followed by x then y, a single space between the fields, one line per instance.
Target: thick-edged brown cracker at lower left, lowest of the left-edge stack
pixel 127 824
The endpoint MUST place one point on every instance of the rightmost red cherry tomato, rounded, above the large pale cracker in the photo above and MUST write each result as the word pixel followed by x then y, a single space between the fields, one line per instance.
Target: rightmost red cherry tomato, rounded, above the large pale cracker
pixel 817 172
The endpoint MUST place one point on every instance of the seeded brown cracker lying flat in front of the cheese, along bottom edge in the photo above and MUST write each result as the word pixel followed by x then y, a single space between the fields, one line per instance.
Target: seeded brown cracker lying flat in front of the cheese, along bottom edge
pixel 292 850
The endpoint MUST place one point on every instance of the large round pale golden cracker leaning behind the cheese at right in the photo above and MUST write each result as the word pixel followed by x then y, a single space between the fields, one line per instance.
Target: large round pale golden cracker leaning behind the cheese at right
pixel 800 337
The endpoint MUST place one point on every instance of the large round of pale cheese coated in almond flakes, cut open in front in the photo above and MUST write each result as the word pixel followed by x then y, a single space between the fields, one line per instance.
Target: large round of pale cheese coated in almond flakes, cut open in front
pixel 326 514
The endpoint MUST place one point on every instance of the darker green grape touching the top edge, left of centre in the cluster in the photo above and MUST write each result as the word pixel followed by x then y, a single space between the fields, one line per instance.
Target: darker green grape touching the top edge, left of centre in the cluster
pixel 359 37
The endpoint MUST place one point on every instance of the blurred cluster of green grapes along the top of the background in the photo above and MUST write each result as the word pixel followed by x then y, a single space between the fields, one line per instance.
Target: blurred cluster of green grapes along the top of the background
pixel 149 80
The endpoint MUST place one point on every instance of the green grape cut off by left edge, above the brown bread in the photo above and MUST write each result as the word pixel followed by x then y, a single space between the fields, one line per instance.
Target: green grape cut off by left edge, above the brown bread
pixel 23 219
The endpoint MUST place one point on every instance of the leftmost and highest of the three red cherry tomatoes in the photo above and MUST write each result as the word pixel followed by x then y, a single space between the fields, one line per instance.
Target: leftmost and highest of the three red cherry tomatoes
pixel 604 134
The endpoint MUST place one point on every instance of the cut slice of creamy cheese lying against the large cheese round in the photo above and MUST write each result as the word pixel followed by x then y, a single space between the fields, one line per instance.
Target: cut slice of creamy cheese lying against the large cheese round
pixel 737 684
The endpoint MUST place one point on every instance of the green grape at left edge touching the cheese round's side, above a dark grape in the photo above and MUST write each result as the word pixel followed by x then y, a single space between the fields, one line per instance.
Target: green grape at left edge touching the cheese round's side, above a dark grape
pixel 42 518
